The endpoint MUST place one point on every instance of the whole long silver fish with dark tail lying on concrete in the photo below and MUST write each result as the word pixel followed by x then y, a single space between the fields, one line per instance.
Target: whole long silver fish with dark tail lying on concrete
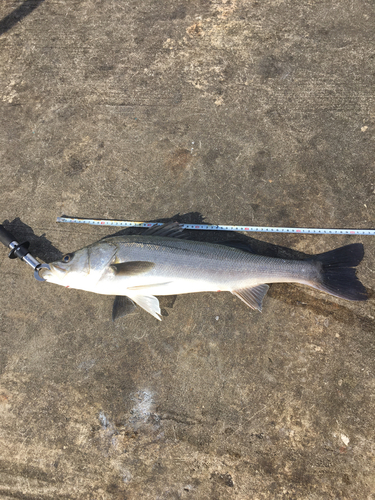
pixel 161 261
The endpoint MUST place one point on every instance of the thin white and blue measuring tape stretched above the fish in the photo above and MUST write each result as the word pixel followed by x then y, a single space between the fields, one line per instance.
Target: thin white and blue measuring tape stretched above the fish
pixel 220 227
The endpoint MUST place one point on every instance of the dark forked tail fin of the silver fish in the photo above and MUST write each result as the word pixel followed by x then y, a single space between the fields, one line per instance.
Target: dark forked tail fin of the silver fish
pixel 338 274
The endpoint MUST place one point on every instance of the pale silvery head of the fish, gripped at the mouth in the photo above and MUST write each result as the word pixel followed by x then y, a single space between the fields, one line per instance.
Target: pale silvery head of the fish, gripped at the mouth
pixel 70 271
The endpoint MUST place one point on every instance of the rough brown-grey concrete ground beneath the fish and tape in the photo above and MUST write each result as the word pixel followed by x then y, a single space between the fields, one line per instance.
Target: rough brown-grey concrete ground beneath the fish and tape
pixel 228 111
